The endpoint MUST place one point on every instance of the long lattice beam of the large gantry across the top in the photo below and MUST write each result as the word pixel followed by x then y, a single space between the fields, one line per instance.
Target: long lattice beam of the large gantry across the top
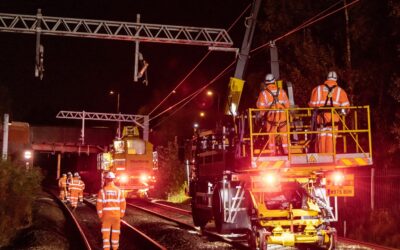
pixel 114 30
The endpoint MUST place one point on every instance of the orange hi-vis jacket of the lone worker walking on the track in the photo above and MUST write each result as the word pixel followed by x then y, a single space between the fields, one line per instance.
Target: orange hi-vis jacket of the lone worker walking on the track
pixel 110 202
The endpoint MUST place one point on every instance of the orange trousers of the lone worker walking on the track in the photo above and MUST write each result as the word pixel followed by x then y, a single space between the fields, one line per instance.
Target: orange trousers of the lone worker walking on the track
pixel 111 226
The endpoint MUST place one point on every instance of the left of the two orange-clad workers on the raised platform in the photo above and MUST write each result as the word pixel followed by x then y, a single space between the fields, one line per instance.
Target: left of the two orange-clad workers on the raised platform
pixel 273 97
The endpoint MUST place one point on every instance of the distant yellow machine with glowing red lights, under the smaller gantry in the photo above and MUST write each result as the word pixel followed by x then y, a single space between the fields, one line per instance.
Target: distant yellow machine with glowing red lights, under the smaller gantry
pixel 133 161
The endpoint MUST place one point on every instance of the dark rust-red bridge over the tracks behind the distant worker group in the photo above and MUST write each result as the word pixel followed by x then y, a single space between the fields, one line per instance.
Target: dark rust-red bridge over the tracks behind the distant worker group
pixel 47 142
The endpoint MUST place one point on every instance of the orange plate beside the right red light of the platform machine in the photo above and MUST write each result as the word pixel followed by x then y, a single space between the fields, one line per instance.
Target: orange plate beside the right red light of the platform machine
pixel 345 188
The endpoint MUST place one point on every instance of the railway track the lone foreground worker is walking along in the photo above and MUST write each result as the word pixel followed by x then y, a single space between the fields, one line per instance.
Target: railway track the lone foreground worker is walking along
pixel 88 229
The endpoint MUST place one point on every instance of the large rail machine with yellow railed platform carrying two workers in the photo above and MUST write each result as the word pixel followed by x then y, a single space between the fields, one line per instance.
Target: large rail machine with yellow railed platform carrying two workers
pixel 277 199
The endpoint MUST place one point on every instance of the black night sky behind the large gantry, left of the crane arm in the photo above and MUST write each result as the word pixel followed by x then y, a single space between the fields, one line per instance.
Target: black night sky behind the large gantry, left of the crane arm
pixel 79 72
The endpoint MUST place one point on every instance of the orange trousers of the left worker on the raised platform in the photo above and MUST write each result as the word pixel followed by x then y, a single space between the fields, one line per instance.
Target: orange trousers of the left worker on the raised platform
pixel 276 122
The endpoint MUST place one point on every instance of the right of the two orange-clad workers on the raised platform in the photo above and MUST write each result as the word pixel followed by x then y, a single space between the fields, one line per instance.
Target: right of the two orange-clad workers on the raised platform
pixel 328 94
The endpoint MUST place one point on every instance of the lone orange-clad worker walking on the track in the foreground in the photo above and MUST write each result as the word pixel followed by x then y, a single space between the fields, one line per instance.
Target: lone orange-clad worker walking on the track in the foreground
pixel 111 206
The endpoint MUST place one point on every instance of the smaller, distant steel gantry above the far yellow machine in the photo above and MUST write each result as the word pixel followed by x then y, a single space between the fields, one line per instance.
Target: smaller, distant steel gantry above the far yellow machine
pixel 140 120
